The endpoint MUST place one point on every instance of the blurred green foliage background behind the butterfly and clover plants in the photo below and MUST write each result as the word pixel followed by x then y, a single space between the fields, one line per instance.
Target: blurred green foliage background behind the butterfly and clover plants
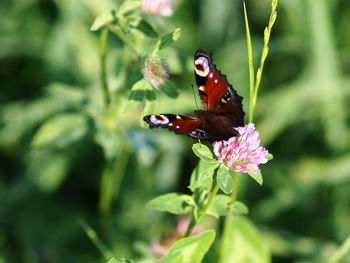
pixel 60 161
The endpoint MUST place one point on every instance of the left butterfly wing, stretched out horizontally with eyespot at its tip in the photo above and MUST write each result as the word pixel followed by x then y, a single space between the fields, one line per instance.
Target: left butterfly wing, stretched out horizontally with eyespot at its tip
pixel 181 124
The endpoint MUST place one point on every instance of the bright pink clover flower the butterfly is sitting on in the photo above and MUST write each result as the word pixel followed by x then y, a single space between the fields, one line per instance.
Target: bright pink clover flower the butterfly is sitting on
pixel 243 153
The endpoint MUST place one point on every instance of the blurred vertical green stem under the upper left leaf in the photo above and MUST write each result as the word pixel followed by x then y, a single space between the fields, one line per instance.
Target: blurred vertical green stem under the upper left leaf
pixel 103 73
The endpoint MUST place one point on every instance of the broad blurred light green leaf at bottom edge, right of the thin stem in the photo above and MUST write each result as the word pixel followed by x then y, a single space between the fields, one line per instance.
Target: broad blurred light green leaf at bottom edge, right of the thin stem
pixel 244 244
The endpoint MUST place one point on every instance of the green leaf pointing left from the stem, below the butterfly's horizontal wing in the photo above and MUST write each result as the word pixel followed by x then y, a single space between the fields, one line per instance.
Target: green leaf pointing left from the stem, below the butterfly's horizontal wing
pixel 174 203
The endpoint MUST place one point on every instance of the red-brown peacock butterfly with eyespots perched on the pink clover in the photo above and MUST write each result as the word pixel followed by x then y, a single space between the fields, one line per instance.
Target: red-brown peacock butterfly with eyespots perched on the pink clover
pixel 222 105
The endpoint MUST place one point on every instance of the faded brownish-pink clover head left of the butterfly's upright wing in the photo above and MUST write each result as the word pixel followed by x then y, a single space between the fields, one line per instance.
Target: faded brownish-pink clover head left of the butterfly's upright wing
pixel 155 71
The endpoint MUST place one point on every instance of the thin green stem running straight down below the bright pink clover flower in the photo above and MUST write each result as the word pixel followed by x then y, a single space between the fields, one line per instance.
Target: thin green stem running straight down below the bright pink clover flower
pixel 228 219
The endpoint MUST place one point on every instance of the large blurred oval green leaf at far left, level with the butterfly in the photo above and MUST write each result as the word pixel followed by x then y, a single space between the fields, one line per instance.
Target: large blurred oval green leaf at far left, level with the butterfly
pixel 60 131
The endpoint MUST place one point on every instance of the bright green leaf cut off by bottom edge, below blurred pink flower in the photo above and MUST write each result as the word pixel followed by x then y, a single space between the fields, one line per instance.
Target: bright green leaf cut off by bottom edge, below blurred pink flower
pixel 189 249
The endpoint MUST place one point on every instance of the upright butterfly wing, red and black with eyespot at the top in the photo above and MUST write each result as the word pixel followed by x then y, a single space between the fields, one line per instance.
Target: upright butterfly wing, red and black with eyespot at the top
pixel 215 92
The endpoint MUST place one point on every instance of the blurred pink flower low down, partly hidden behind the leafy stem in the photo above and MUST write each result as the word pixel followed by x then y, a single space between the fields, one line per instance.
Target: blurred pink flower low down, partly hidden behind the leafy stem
pixel 161 248
